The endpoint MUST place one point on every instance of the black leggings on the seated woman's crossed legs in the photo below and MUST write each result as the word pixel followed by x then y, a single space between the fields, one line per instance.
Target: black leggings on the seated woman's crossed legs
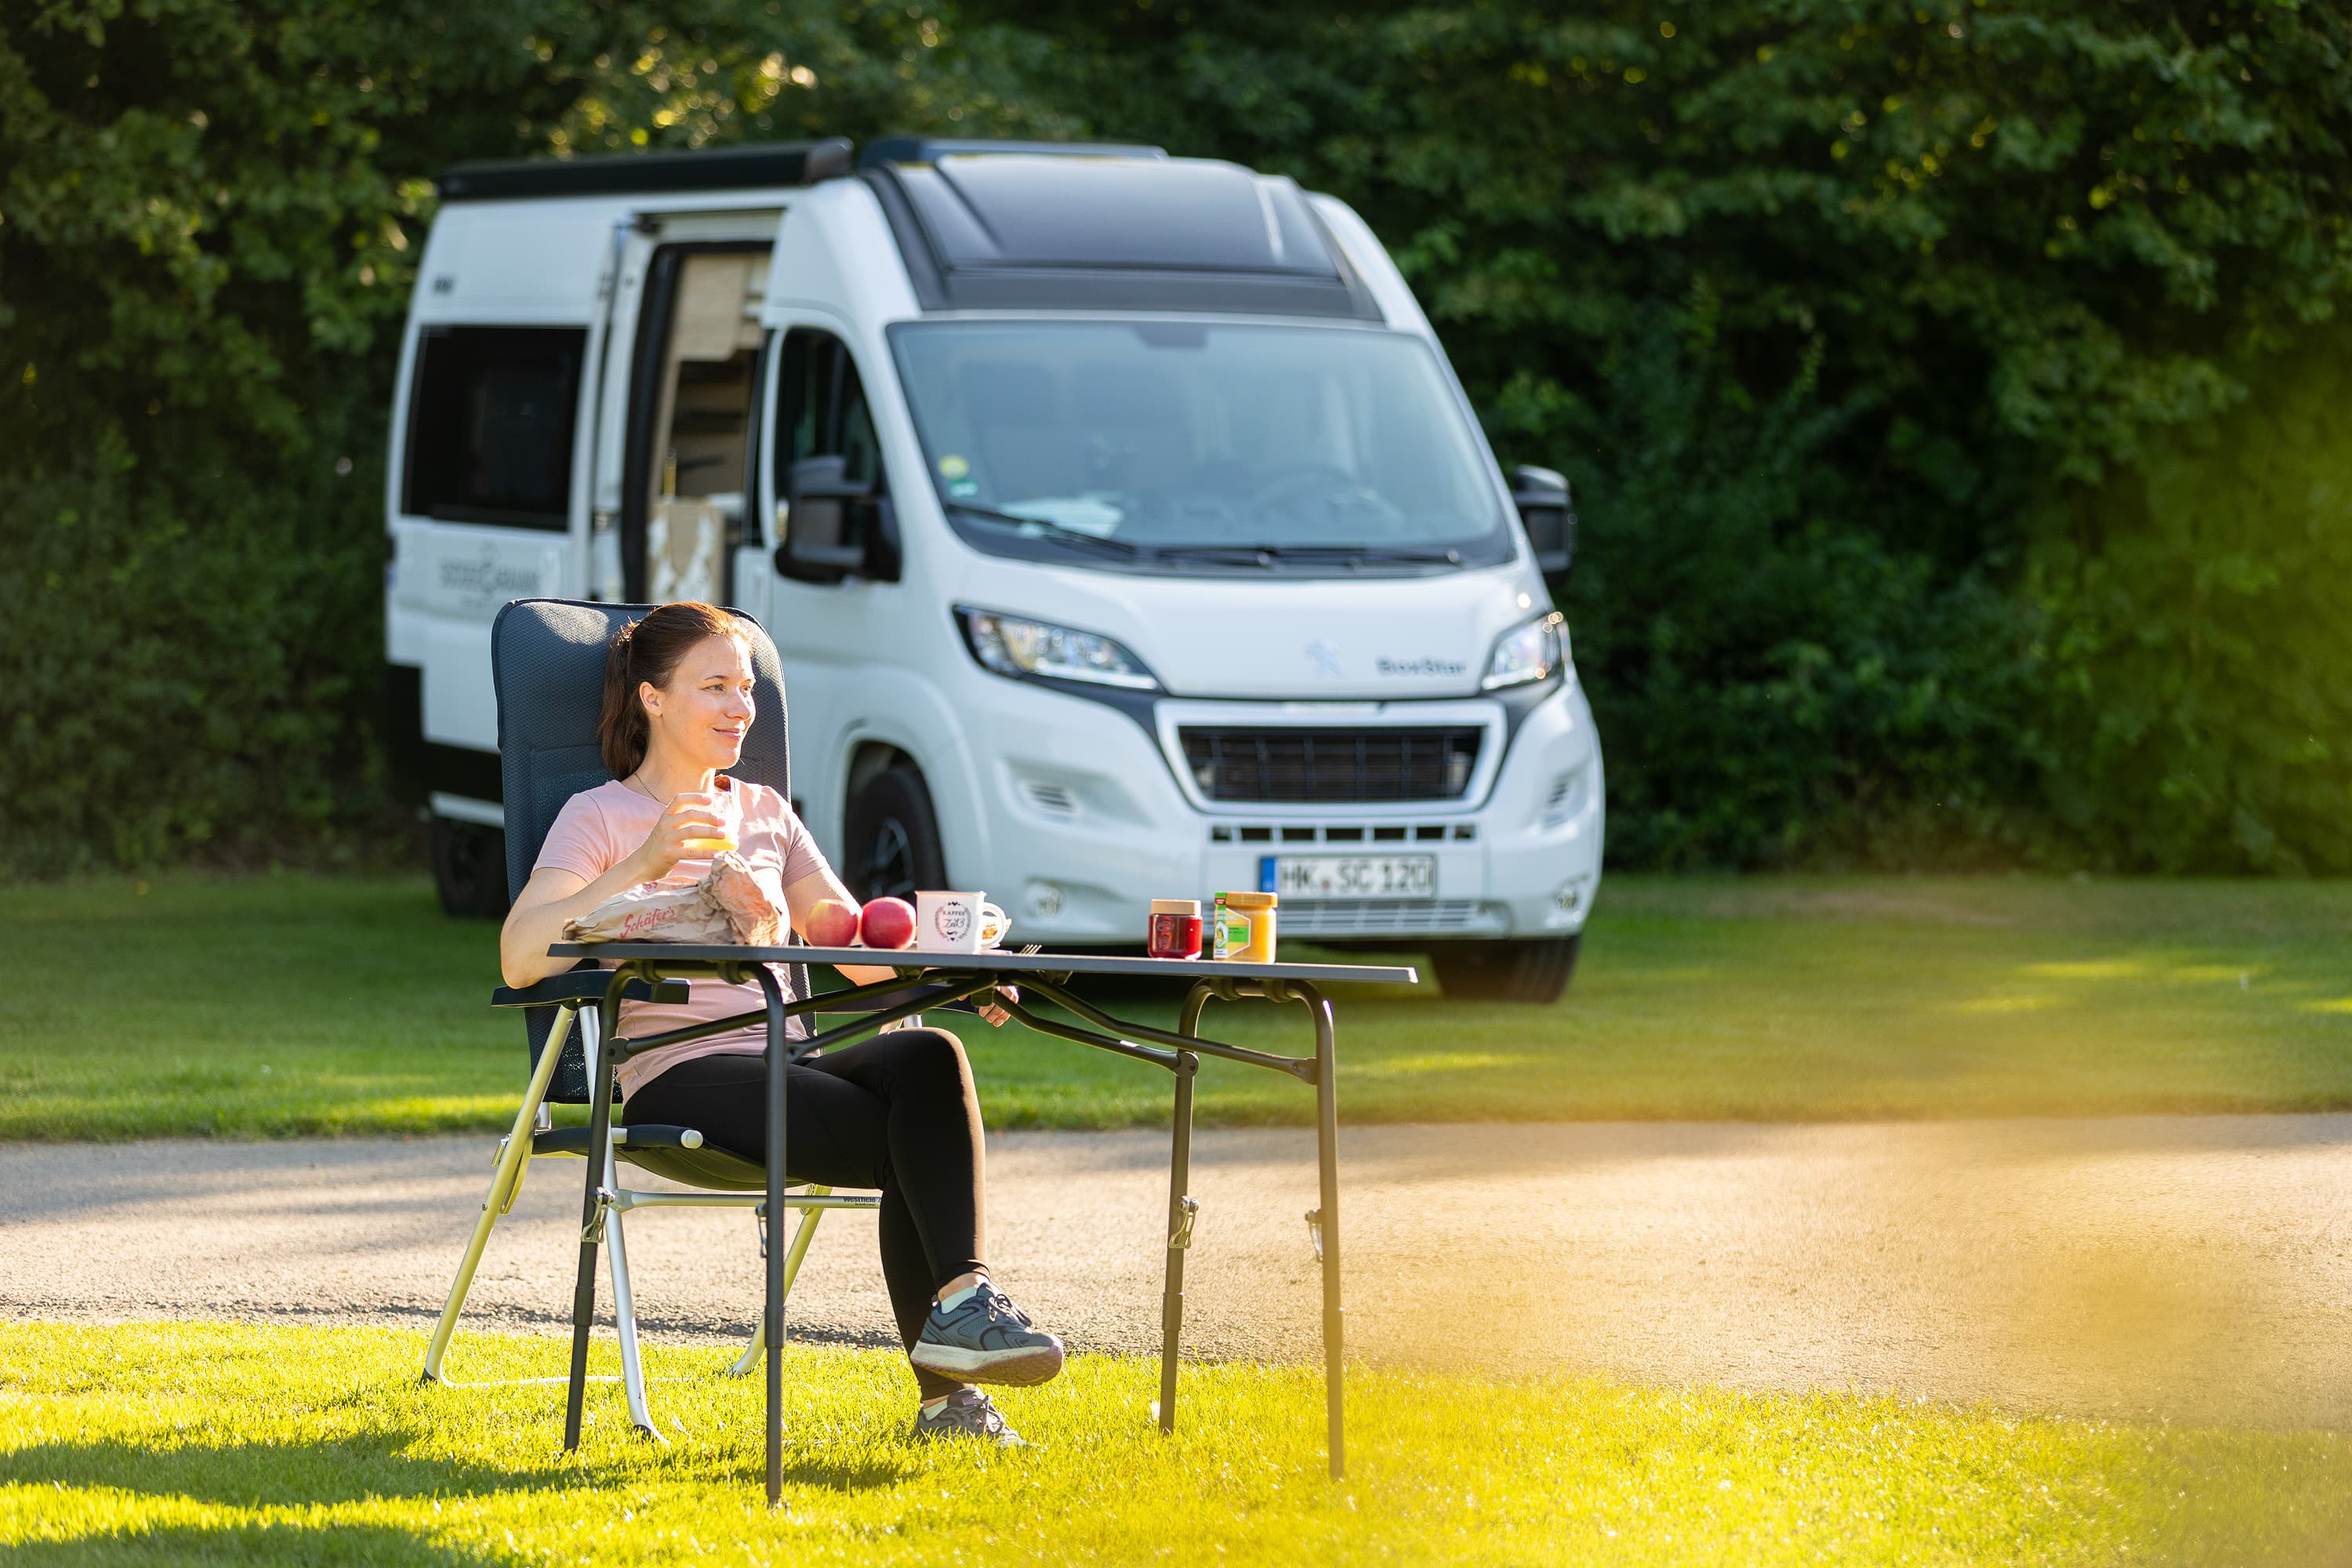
pixel 893 1113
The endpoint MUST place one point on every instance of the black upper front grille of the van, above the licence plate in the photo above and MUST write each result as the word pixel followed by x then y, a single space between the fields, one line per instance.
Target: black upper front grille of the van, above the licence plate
pixel 1330 765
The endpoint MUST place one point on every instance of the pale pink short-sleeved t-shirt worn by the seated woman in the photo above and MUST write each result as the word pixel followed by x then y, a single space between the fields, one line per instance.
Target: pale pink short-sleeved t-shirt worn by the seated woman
pixel 601 829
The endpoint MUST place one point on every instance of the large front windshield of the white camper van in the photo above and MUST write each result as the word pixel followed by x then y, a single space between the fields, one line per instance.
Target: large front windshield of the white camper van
pixel 1201 448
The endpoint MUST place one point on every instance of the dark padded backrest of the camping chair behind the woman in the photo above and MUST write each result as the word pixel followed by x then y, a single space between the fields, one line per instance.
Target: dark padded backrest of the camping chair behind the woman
pixel 547 669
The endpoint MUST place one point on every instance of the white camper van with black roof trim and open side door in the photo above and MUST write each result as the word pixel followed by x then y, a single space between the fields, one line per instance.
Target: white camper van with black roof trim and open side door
pixel 1118 518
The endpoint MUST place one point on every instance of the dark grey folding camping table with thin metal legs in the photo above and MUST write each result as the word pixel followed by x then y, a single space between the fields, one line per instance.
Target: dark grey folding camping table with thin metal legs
pixel 935 979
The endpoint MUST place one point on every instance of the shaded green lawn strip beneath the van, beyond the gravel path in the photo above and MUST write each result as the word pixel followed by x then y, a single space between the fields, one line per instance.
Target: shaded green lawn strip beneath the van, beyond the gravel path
pixel 293 1005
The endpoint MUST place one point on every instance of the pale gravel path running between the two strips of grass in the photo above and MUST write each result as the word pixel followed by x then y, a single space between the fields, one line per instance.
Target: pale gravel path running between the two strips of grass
pixel 2196 1268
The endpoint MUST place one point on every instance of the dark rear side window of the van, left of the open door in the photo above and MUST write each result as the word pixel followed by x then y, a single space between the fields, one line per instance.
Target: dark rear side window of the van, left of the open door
pixel 490 424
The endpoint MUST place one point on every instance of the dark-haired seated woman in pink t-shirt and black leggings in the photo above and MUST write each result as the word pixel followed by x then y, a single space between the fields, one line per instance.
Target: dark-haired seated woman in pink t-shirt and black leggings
pixel 893 1113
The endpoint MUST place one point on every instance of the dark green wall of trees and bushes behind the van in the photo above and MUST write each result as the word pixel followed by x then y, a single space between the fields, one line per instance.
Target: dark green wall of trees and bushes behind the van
pixel 1956 394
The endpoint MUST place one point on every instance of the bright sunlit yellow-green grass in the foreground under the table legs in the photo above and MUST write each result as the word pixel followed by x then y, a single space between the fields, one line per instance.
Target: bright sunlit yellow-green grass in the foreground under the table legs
pixel 196 1442
